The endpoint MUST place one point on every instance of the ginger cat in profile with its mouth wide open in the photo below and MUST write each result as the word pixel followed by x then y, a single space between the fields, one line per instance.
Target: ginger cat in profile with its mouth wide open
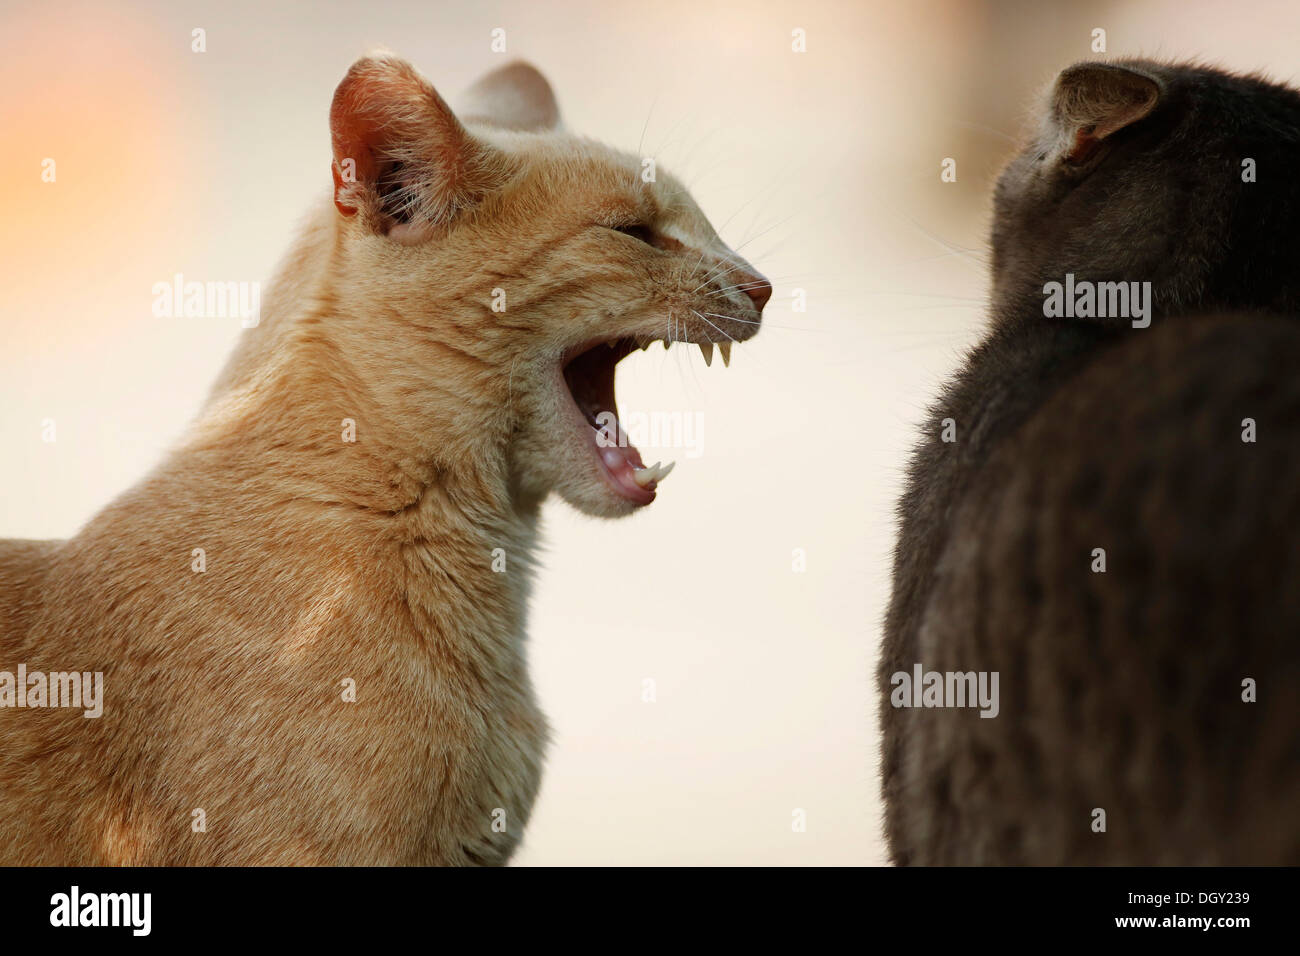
pixel 333 564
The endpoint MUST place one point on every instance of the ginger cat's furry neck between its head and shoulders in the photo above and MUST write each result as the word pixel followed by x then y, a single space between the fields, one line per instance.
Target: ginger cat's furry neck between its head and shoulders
pixel 309 416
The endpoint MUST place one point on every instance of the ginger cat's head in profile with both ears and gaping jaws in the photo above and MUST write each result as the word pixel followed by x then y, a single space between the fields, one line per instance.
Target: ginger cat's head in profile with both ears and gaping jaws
pixel 496 269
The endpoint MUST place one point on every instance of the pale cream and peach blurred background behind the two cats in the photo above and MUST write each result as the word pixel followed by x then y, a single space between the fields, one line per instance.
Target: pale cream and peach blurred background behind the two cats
pixel 821 167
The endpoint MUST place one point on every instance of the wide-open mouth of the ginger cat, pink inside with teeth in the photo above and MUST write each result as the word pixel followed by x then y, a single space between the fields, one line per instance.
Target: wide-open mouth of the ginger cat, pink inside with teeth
pixel 590 375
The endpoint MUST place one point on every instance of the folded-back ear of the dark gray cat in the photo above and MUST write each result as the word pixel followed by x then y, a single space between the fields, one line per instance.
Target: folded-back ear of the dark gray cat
pixel 1094 101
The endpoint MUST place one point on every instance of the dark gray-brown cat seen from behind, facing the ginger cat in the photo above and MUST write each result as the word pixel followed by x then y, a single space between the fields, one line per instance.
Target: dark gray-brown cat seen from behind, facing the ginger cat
pixel 1093 651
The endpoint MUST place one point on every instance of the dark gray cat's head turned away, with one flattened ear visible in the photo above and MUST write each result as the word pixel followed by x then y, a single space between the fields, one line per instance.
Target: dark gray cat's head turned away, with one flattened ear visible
pixel 1178 176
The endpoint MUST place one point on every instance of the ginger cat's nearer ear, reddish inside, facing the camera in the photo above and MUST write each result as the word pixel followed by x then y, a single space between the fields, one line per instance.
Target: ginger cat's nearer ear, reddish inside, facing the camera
pixel 402 159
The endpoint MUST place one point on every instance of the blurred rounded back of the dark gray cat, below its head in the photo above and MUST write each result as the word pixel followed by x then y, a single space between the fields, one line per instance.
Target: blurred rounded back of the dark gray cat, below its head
pixel 1123 690
